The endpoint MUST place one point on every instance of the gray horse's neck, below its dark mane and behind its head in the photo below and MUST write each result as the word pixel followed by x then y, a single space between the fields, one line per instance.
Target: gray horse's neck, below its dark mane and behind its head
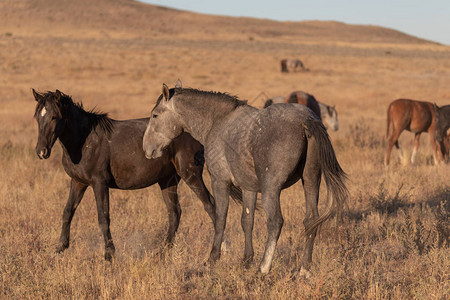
pixel 200 115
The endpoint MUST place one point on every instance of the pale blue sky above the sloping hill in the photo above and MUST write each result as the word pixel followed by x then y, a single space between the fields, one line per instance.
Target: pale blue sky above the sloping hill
pixel 428 19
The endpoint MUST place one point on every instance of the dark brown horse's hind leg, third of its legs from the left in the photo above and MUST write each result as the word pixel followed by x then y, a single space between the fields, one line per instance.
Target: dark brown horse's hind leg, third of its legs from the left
pixel 170 196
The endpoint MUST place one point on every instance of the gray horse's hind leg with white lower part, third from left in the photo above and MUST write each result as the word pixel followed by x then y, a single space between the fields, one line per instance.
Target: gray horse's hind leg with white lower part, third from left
pixel 271 205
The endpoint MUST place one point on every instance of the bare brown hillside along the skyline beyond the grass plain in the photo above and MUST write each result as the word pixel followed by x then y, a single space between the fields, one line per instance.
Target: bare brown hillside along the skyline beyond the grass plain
pixel 133 18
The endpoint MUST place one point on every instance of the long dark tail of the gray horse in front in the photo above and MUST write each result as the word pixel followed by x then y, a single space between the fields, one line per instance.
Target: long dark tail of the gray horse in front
pixel 334 175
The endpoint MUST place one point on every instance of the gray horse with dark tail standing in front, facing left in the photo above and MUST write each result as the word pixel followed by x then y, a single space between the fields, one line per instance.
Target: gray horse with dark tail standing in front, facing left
pixel 257 150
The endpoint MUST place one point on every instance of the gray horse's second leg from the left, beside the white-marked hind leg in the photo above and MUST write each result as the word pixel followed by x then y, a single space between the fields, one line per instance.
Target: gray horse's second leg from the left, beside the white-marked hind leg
pixel 247 220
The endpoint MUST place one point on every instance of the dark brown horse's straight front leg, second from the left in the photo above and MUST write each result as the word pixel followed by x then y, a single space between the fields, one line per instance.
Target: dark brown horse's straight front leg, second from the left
pixel 101 193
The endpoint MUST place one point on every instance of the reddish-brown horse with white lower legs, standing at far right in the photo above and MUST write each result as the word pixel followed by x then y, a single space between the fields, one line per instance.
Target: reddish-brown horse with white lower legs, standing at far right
pixel 414 116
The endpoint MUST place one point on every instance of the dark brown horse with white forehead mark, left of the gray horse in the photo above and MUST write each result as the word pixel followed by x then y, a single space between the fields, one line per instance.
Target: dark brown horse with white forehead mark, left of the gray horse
pixel 104 153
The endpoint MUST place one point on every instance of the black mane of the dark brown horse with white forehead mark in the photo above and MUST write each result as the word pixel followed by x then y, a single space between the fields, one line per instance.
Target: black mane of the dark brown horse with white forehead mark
pixel 65 105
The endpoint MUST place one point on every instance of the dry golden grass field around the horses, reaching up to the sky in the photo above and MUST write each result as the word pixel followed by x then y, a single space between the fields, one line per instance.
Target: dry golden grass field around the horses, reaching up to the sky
pixel 115 55
